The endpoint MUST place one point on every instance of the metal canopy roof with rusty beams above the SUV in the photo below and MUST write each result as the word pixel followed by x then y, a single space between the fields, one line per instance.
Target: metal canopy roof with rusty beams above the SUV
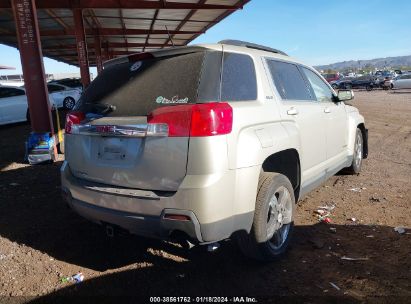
pixel 124 26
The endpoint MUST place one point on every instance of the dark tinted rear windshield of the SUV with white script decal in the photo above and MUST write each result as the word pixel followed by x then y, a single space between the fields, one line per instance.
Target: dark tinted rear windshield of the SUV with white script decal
pixel 137 88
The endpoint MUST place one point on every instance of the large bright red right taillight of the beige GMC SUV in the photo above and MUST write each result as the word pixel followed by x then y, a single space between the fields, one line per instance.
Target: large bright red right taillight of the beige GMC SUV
pixel 197 120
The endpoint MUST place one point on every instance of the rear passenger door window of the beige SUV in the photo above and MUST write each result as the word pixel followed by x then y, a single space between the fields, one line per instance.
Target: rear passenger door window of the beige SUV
pixel 289 81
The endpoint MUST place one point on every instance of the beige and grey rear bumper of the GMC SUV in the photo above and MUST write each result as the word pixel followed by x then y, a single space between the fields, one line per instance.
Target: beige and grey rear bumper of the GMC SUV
pixel 144 215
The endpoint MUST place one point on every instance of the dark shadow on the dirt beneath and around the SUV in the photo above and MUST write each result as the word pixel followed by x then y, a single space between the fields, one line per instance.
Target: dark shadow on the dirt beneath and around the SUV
pixel 32 213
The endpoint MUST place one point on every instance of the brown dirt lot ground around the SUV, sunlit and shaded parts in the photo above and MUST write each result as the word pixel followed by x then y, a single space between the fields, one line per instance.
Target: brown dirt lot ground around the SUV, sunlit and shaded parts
pixel 41 240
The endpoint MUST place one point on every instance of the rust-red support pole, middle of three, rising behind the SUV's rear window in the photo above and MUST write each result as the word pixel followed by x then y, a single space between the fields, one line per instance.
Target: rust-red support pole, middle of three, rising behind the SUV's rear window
pixel 81 46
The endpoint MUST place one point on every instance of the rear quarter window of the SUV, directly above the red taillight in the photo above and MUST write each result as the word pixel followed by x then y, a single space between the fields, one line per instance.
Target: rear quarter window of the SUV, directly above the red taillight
pixel 238 79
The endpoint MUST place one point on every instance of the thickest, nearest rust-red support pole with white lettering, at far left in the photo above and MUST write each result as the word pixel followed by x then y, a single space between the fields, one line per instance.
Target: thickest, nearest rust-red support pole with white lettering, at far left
pixel 31 57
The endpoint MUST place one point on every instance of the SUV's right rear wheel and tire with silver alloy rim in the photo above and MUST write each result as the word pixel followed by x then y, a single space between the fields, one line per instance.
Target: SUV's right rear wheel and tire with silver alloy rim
pixel 273 220
